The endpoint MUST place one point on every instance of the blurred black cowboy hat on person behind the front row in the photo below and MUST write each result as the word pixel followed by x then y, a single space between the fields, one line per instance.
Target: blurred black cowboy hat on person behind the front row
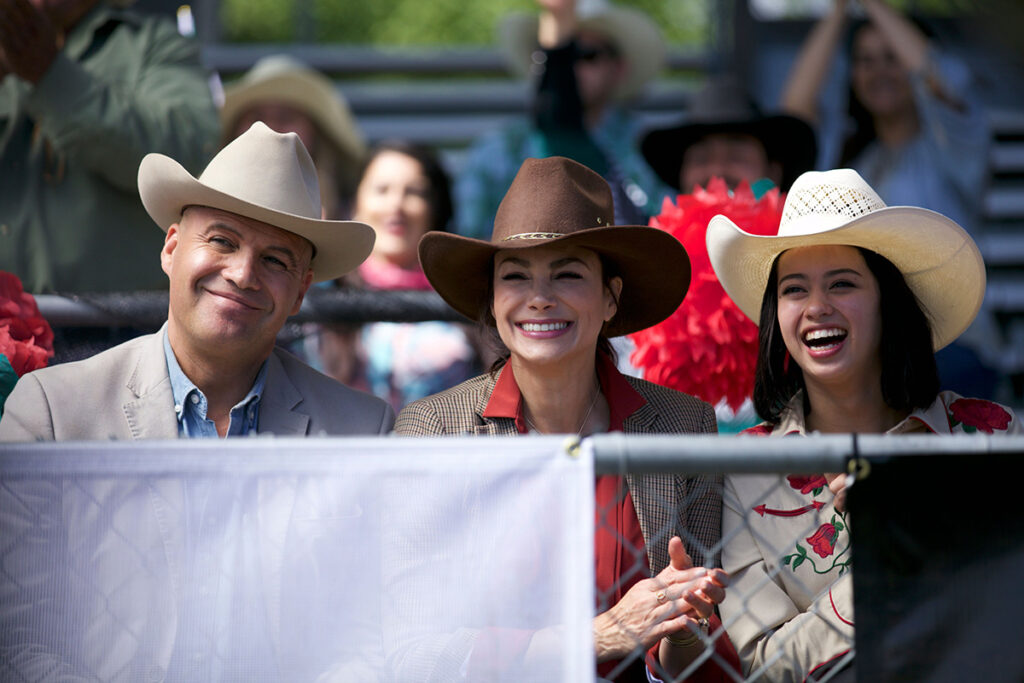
pixel 723 106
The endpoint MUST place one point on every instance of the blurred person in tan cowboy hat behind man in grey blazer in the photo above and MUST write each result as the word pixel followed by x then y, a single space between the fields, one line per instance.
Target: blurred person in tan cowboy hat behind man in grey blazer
pixel 291 98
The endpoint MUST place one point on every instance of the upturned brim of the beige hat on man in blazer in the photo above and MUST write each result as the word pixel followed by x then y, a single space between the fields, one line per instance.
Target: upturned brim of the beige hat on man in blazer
pixel 166 189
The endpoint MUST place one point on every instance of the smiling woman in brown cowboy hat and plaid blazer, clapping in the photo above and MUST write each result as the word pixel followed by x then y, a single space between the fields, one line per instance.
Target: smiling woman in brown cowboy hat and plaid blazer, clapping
pixel 556 281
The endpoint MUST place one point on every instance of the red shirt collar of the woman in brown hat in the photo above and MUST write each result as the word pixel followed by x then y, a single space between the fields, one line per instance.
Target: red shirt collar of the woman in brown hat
pixel 624 401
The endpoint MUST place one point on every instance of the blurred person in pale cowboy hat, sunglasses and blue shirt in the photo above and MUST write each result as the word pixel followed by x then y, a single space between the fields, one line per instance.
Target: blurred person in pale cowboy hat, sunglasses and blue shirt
pixel 590 59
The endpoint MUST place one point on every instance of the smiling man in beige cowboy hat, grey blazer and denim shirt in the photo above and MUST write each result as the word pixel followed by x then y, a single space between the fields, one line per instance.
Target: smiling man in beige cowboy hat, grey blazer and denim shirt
pixel 244 243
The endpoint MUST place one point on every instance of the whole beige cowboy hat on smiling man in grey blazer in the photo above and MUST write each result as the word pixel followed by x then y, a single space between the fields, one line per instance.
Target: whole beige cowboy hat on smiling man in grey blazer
pixel 263 176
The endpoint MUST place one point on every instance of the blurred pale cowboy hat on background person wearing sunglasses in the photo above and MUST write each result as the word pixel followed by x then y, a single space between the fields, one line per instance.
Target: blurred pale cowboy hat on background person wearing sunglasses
pixel 633 32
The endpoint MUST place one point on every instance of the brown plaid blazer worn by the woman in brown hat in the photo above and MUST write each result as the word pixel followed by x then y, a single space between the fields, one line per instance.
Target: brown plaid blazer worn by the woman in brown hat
pixel 690 506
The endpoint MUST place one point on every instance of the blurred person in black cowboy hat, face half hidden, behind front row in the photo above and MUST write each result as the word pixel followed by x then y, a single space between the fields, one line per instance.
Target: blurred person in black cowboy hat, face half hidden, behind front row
pixel 727 135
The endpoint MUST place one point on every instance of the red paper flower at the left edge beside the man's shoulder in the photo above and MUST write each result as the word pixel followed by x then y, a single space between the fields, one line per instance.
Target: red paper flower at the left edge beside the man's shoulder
pixel 26 337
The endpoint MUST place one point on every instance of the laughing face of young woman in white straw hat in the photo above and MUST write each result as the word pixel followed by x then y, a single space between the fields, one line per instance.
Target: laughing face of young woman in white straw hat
pixel 830 315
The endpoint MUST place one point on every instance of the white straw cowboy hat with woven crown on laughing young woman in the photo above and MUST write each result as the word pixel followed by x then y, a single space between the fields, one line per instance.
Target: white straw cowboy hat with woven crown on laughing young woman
pixel 937 258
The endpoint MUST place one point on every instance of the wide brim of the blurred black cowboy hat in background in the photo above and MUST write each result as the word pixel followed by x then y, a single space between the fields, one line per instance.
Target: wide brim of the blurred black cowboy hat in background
pixel 788 140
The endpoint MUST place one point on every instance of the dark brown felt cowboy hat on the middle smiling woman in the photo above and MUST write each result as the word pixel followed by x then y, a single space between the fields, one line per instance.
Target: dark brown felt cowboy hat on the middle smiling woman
pixel 557 200
